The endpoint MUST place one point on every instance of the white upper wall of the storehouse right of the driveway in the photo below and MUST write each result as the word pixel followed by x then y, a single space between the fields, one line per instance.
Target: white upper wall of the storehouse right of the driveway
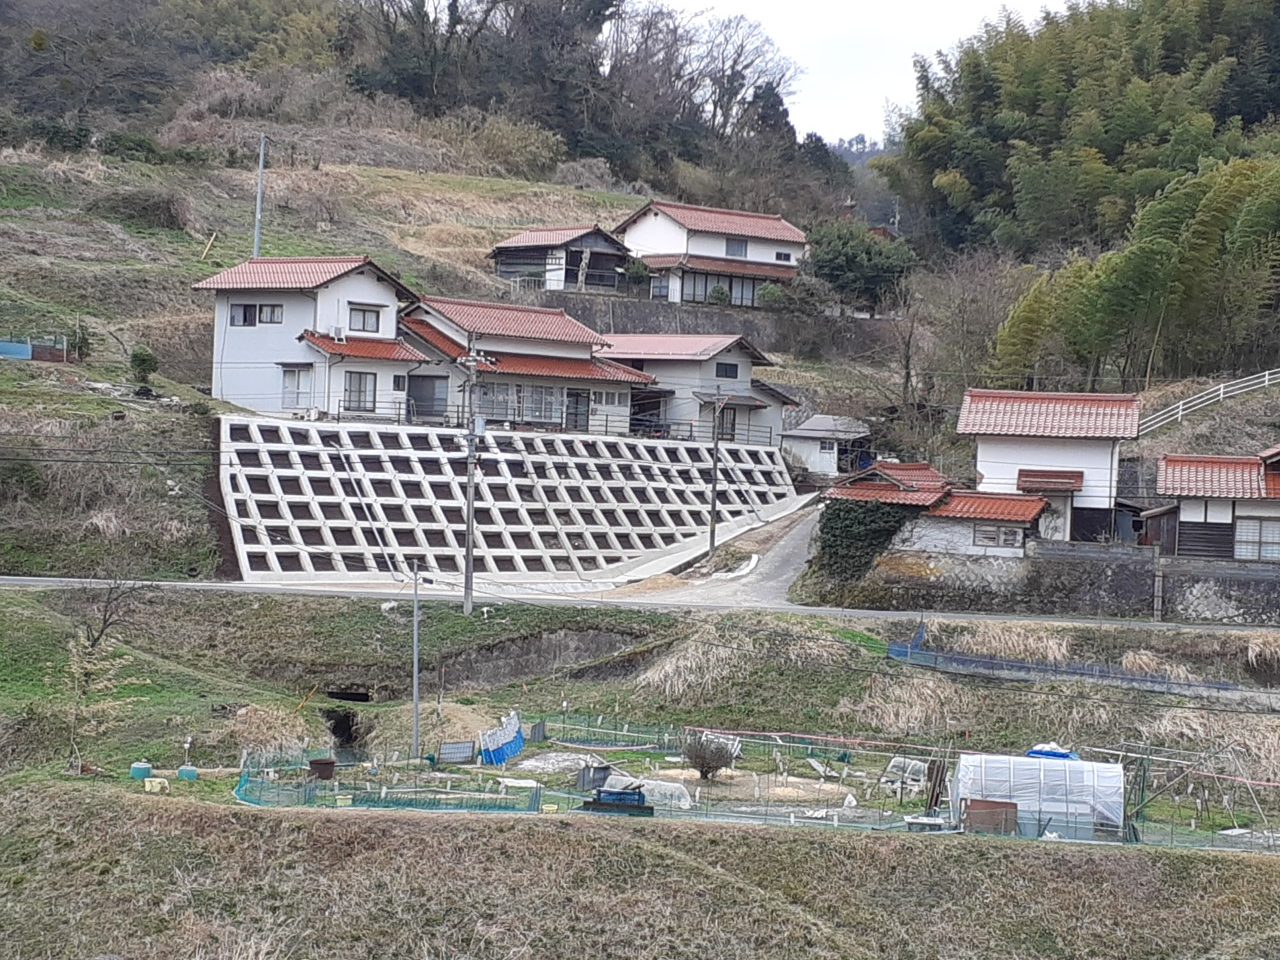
pixel 1002 458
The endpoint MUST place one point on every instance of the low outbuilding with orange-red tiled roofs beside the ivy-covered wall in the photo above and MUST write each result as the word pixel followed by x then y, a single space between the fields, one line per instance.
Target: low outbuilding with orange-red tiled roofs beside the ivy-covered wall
pixel 945 519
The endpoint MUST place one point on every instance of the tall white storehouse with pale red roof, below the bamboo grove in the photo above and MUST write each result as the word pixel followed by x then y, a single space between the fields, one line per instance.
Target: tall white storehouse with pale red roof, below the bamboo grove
pixel 1062 446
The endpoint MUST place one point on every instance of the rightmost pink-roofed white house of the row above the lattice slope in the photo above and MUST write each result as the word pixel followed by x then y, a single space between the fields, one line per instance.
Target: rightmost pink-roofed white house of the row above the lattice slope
pixel 697 376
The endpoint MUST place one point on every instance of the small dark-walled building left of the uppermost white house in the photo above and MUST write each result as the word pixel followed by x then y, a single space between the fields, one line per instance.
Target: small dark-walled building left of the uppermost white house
pixel 563 258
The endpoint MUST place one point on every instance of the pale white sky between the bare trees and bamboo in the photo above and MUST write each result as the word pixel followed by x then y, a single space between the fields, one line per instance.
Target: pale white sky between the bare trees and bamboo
pixel 857 54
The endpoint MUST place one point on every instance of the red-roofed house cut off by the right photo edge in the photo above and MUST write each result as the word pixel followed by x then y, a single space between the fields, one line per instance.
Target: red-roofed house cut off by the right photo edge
pixel 1226 508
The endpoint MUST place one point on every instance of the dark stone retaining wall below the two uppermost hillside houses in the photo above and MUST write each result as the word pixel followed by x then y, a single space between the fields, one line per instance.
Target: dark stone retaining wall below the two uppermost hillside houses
pixel 767 330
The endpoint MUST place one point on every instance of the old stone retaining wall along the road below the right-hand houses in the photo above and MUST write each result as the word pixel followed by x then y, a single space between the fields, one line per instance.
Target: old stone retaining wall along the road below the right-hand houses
pixel 1072 579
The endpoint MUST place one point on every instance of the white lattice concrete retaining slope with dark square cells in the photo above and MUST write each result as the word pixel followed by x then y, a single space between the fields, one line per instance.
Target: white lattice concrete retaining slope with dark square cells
pixel 359 501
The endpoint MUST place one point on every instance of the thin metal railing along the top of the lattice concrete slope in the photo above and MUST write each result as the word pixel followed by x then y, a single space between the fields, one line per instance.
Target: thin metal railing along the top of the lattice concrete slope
pixel 561 422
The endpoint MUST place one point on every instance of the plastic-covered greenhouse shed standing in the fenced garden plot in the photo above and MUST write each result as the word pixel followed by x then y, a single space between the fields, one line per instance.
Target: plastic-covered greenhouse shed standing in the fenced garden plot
pixel 1075 799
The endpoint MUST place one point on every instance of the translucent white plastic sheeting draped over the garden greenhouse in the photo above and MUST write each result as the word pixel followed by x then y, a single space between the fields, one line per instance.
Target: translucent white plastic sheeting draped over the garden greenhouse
pixel 1041 787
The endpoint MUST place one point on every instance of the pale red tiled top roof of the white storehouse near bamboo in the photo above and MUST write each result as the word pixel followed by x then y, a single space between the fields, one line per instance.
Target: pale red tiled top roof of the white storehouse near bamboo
pixel 1025 414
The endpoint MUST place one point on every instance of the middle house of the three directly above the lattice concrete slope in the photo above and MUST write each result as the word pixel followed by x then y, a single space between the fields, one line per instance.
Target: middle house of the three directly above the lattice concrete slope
pixel 534 367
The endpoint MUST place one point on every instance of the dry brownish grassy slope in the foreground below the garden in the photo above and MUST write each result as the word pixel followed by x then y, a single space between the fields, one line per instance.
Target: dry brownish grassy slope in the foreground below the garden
pixel 167 877
